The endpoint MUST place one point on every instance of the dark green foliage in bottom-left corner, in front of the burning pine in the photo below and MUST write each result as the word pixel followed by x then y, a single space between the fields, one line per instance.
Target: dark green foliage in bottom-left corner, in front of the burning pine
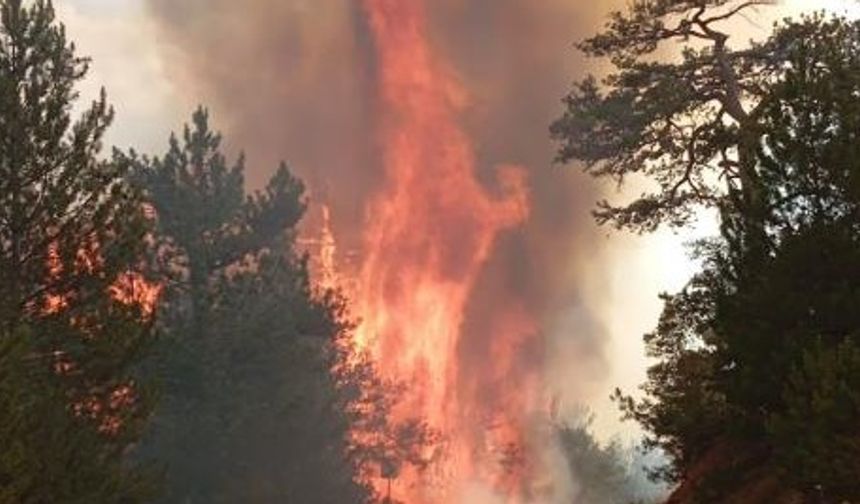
pixel 50 455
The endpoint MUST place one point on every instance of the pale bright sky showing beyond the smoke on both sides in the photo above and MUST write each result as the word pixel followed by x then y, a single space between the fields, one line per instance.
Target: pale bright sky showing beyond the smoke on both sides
pixel 128 60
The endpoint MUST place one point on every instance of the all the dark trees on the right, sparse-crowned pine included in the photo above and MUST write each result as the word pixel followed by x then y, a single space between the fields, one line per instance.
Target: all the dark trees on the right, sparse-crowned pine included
pixel 755 394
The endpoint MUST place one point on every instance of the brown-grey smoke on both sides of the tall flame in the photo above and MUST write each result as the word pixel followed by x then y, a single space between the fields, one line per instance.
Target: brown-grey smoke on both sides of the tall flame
pixel 296 80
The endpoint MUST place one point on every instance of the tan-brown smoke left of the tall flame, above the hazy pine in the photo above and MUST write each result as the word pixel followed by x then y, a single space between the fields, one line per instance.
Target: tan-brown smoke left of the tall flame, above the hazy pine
pixel 287 81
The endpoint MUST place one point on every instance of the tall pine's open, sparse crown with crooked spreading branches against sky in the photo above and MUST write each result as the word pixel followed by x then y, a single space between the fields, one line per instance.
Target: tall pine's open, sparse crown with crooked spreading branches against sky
pixel 691 124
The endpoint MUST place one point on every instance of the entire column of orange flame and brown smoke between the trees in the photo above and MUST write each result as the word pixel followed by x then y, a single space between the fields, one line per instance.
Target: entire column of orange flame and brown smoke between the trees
pixel 420 128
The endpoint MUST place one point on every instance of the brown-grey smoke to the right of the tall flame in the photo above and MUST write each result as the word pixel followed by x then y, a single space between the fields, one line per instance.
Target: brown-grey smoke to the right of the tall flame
pixel 516 58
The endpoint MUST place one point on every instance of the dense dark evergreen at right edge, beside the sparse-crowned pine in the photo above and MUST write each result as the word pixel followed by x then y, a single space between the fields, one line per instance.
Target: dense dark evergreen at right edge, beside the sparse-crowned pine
pixel 754 395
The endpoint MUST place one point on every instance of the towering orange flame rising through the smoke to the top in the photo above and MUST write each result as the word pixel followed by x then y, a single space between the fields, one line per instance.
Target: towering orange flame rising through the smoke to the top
pixel 433 228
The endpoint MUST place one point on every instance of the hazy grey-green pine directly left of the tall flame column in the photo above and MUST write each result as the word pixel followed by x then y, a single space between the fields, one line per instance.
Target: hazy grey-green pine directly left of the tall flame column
pixel 251 410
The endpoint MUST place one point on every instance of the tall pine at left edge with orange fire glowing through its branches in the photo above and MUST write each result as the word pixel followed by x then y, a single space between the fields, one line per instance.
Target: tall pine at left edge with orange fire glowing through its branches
pixel 72 238
